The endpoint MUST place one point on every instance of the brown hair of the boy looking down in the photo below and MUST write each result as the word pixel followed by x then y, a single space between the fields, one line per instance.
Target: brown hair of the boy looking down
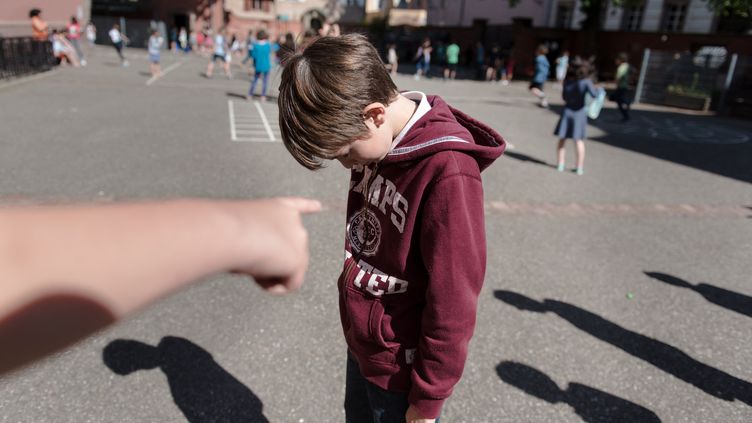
pixel 323 92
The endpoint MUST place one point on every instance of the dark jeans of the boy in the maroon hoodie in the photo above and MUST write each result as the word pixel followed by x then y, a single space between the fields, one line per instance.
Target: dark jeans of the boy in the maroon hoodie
pixel 367 403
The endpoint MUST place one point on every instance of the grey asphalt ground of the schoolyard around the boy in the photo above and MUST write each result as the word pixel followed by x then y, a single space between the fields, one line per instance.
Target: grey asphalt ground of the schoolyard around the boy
pixel 620 295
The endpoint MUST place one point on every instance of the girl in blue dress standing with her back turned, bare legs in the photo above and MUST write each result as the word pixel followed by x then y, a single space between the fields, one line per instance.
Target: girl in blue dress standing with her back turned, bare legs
pixel 573 119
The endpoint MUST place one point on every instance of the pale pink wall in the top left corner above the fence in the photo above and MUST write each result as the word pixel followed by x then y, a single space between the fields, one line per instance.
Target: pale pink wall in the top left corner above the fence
pixel 14 14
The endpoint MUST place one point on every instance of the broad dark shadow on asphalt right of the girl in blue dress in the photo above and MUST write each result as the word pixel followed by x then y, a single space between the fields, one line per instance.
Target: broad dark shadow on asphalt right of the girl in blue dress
pixel 718 145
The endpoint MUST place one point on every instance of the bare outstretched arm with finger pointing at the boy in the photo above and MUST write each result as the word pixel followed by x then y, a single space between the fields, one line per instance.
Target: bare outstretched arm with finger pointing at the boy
pixel 70 270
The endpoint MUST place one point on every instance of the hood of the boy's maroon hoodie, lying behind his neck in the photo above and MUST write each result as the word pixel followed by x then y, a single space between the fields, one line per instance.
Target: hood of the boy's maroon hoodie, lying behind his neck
pixel 437 131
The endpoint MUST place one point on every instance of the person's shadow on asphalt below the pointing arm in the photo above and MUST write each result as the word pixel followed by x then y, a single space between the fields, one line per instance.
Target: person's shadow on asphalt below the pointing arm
pixel 203 390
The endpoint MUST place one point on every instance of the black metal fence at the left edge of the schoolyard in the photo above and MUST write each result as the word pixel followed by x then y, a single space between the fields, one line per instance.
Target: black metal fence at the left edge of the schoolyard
pixel 24 55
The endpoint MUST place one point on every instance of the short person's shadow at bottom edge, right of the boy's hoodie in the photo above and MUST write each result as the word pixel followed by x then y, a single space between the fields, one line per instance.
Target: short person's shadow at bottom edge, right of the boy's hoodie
pixel 591 404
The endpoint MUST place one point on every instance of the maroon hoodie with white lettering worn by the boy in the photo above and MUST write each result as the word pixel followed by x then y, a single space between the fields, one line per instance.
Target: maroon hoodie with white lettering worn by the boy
pixel 415 256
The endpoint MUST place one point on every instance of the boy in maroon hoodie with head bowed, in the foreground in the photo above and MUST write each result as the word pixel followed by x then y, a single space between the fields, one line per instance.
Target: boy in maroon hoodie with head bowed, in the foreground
pixel 415 249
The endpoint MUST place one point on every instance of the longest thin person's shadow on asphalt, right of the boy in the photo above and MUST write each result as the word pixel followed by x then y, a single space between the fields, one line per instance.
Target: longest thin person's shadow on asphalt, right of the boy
pixel 661 355
